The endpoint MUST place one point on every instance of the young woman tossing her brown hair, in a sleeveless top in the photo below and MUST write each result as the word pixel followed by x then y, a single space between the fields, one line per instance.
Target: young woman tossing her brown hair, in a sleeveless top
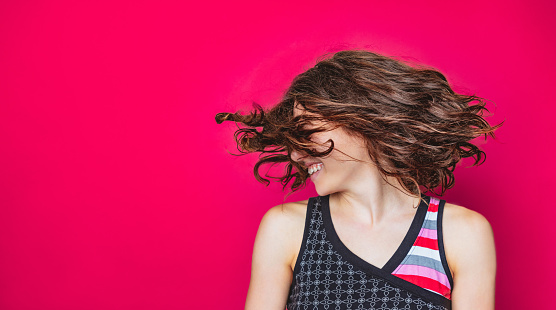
pixel 369 131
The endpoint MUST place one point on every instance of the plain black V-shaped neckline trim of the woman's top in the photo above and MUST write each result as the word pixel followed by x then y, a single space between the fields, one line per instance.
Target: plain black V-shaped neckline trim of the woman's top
pixel 400 252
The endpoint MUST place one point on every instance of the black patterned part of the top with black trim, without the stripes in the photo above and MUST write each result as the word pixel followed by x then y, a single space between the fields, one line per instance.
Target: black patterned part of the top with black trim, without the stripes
pixel 327 275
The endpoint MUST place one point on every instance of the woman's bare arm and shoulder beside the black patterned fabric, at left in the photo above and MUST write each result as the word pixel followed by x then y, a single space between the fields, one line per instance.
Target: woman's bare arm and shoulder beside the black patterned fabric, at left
pixel 278 240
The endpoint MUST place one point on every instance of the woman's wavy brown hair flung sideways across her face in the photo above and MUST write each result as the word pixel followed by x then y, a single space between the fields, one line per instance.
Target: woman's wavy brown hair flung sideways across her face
pixel 415 126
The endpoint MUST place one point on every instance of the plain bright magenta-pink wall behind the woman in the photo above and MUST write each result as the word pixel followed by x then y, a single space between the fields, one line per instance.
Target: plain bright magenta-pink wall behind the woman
pixel 116 190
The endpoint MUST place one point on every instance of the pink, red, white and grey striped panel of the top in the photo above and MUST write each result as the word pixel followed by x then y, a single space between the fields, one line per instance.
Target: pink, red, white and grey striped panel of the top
pixel 422 265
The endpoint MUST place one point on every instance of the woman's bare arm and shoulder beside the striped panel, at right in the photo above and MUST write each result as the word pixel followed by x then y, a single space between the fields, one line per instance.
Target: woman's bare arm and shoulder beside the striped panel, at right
pixel 470 249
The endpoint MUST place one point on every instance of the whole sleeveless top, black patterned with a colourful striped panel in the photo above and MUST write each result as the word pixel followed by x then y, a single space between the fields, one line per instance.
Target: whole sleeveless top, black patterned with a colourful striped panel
pixel 327 275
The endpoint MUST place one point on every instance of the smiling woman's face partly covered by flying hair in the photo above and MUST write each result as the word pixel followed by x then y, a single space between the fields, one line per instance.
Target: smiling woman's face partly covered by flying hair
pixel 338 171
